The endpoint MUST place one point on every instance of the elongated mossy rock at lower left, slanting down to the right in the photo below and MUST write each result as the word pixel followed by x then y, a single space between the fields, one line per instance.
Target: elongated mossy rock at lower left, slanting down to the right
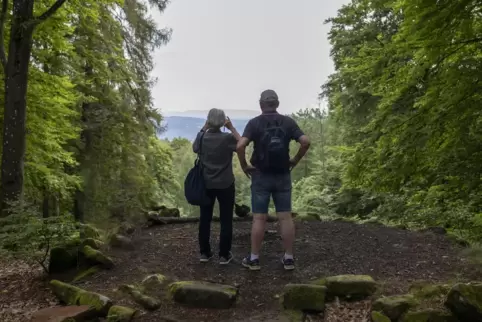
pixel 72 295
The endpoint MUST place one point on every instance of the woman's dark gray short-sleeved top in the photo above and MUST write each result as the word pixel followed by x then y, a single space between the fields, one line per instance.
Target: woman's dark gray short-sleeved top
pixel 217 158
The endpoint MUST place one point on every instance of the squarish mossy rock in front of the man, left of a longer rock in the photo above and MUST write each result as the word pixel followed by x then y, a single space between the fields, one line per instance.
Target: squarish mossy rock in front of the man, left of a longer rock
pixel 305 297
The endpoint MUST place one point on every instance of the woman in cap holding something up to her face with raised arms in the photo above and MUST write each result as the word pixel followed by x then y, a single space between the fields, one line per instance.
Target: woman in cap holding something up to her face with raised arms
pixel 216 156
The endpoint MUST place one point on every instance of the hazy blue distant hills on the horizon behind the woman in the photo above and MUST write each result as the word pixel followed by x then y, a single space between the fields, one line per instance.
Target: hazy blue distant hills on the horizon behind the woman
pixel 188 127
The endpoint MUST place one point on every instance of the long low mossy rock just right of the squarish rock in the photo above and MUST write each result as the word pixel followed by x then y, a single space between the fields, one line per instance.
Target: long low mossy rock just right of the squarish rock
pixel 350 286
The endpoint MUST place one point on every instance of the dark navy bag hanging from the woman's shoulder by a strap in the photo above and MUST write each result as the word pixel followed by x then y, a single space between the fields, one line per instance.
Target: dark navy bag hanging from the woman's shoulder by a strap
pixel 194 186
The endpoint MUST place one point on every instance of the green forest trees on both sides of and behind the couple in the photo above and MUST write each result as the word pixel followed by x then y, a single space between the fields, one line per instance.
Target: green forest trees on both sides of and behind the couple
pixel 400 141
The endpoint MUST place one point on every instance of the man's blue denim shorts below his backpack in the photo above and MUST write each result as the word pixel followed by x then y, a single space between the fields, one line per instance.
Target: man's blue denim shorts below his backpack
pixel 265 185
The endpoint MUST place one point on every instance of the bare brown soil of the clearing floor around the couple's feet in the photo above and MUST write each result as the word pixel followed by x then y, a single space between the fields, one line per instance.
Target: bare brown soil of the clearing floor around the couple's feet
pixel 394 257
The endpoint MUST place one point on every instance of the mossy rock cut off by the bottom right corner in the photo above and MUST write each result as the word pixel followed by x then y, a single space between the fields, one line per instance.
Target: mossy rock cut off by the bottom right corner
pixel 465 301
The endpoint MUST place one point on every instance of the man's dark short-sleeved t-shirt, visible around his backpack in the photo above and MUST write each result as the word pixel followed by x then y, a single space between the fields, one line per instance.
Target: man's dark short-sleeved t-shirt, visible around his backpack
pixel 255 129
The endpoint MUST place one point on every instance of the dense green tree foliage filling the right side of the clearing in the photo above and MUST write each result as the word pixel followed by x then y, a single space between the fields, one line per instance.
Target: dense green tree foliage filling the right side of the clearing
pixel 406 98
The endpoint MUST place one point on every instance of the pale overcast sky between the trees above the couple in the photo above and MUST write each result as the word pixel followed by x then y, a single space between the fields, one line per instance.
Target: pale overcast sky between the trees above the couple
pixel 223 53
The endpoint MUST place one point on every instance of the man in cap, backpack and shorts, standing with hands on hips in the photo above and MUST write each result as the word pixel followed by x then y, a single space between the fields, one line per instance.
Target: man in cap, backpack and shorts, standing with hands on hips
pixel 270 173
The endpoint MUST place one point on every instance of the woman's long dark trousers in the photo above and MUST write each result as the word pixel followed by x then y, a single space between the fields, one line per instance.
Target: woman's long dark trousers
pixel 225 199
